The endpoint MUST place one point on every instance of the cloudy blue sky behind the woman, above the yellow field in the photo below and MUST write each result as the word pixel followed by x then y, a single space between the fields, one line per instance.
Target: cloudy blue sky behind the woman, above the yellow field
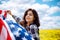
pixel 48 10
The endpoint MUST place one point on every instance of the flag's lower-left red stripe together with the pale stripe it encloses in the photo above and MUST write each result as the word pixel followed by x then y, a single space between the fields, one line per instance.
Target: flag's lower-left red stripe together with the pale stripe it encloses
pixel 4 34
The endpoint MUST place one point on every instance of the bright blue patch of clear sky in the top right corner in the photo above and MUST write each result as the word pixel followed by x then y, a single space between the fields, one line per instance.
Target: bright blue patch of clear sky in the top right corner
pixel 48 2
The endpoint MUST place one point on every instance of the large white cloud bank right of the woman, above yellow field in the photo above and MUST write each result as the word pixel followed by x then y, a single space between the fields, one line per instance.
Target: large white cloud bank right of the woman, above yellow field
pixel 50 22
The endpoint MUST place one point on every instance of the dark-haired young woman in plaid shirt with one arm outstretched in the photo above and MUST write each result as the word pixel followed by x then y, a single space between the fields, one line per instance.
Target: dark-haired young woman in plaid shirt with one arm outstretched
pixel 30 22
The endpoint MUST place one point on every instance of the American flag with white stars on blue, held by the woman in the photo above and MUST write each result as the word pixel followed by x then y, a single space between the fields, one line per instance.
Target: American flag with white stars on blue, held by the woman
pixel 13 28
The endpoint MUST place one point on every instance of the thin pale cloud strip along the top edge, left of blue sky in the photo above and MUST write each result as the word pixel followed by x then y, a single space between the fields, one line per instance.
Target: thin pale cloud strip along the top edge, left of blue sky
pixel 18 1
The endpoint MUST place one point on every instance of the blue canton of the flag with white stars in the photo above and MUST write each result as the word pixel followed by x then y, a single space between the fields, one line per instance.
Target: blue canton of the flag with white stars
pixel 18 31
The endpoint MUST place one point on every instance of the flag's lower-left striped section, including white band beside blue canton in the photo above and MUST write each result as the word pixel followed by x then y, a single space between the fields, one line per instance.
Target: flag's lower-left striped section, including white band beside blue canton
pixel 5 32
